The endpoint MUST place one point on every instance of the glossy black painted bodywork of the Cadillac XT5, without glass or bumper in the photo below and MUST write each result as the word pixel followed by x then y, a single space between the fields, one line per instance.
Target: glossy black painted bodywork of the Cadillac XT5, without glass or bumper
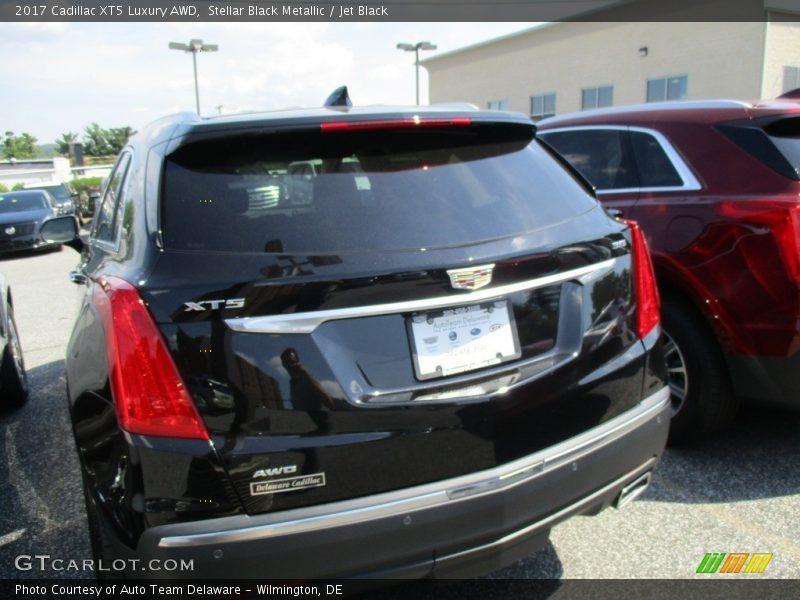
pixel 299 400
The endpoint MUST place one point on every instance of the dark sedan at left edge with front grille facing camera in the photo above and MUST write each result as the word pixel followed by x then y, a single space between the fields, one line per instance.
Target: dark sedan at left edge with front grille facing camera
pixel 22 214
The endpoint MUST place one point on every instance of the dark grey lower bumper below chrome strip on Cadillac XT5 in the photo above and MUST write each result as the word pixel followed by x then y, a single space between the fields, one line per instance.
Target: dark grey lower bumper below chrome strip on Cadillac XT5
pixel 432 540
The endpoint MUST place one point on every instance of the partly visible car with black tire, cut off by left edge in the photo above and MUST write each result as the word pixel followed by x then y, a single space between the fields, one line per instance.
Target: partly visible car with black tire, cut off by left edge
pixel 13 378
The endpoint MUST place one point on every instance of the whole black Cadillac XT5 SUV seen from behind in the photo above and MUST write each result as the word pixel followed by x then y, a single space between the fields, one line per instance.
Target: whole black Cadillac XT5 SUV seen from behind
pixel 413 361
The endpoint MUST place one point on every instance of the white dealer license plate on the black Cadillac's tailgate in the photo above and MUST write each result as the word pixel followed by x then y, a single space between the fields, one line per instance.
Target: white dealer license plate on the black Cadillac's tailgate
pixel 457 340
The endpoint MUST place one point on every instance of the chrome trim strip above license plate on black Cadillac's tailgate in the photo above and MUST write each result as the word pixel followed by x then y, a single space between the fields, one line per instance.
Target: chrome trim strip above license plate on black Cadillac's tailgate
pixel 307 322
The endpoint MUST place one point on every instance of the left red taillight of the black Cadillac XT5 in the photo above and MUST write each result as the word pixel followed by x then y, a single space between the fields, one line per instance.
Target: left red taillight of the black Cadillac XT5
pixel 148 391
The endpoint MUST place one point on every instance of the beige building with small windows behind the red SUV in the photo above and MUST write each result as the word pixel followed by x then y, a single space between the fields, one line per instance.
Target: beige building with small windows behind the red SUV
pixel 569 66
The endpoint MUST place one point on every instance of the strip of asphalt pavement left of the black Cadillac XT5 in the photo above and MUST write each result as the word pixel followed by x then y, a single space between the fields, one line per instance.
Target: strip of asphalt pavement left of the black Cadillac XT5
pixel 42 503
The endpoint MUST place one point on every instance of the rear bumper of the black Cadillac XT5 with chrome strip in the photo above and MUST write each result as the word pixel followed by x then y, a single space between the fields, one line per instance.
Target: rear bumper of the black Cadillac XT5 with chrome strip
pixel 463 526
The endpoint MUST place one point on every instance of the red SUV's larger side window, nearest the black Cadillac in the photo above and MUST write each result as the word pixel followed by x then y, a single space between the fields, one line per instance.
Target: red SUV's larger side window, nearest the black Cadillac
pixel 601 155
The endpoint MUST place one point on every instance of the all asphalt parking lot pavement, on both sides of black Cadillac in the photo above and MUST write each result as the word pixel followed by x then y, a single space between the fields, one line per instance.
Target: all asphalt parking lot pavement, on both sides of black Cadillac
pixel 737 493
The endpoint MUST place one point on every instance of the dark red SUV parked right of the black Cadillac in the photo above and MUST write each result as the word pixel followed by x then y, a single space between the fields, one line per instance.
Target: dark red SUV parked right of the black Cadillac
pixel 716 187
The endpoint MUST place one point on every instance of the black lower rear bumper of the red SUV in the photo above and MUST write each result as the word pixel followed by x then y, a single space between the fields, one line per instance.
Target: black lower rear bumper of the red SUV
pixel 767 379
